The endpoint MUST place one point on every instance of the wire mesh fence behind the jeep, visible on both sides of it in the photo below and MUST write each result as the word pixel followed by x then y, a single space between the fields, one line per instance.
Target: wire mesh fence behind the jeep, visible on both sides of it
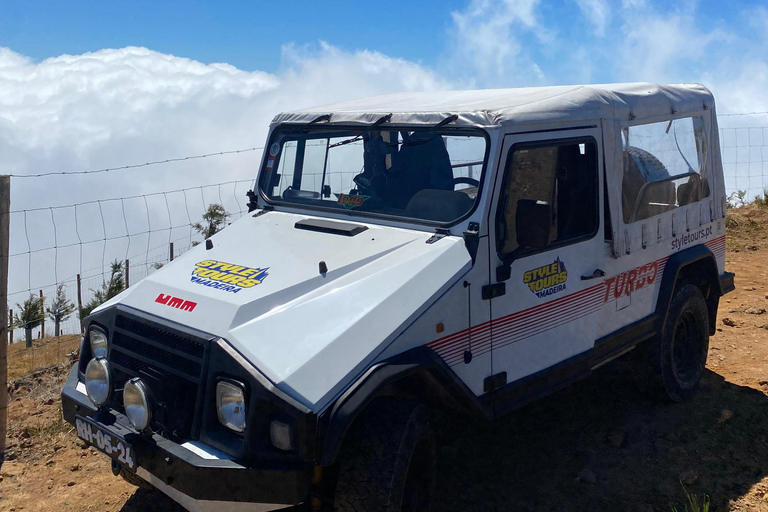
pixel 76 245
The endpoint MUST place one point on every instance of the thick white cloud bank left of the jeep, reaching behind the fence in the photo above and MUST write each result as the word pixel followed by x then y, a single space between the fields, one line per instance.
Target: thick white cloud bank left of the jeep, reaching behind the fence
pixel 132 105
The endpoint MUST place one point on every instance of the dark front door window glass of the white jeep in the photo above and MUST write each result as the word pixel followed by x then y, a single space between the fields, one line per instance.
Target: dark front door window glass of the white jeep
pixel 562 174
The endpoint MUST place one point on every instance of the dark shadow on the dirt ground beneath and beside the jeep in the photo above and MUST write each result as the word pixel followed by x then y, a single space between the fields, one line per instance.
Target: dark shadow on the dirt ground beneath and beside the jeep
pixel 637 449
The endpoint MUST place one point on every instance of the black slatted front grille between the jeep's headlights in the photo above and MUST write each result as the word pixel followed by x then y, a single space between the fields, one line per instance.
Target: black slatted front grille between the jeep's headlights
pixel 171 362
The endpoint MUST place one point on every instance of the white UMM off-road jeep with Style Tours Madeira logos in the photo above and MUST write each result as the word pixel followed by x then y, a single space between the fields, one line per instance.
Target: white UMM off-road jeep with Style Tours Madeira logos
pixel 405 255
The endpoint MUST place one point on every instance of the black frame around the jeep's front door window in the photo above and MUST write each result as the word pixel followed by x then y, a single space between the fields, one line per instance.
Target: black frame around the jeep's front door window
pixel 520 252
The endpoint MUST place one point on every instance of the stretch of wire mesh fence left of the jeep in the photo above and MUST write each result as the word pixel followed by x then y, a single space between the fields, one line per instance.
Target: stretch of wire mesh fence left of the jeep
pixel 76 245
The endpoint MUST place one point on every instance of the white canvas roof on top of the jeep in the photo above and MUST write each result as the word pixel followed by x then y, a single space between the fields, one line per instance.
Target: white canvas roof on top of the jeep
pixel 497 107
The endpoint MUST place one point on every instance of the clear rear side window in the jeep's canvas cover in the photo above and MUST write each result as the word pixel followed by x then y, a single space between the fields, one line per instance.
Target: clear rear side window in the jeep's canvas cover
pixel 664 167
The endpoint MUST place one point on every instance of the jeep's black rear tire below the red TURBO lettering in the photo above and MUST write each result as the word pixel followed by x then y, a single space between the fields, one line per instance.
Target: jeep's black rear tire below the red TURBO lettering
pixel 676 358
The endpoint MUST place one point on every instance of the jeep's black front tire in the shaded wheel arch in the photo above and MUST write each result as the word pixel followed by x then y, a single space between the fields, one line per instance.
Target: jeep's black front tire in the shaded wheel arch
pixel 387 462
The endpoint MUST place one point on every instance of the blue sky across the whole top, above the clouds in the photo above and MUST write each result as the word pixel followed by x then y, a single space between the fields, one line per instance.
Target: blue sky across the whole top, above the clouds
pixel 564 41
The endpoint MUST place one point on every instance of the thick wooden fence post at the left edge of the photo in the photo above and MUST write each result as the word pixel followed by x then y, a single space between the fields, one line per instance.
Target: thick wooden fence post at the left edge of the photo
pixel 5 215
